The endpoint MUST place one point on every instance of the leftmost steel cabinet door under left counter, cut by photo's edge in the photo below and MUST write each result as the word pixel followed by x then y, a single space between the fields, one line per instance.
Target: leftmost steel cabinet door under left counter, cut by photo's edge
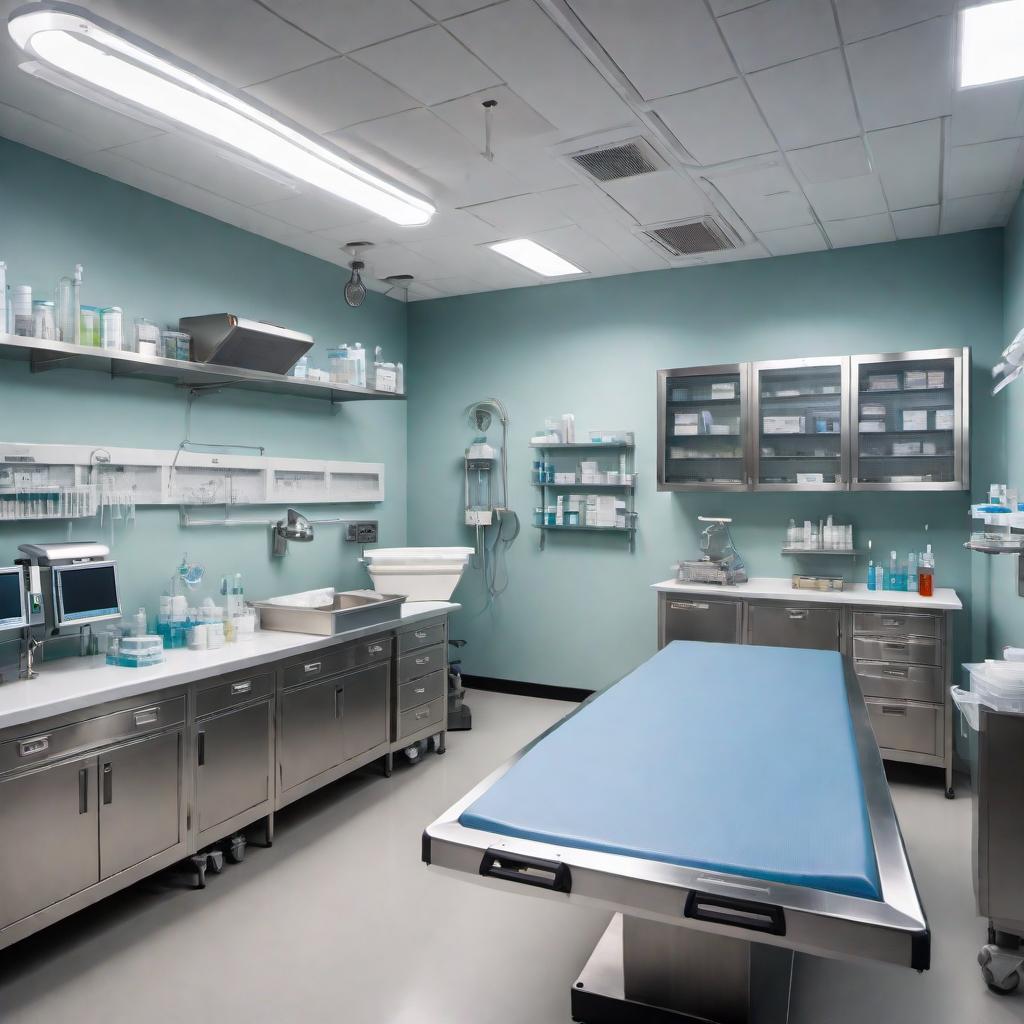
pixel 49 837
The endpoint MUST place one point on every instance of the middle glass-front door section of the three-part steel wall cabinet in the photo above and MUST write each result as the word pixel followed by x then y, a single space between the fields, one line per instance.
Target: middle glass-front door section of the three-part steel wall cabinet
pixel 799 424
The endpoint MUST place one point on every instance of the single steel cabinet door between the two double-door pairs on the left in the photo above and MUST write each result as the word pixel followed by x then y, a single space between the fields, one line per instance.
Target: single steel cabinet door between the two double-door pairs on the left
pixel 233 759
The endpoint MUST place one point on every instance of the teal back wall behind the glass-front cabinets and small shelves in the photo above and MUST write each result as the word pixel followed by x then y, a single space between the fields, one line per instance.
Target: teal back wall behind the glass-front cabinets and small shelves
pixel 581 614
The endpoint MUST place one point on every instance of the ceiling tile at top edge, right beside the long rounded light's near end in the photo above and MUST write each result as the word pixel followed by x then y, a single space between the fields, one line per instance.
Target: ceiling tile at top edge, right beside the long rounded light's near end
pixel 235 40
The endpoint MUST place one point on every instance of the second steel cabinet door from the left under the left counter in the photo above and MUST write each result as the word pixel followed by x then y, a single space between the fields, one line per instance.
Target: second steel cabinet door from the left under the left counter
pixel 140 805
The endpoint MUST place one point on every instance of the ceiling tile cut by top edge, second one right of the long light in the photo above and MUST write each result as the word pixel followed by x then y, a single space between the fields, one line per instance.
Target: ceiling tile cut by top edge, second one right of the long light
pixel 355 24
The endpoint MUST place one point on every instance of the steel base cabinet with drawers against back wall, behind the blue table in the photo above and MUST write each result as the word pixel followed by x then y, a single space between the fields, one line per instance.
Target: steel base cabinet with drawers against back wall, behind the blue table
pixel 903 660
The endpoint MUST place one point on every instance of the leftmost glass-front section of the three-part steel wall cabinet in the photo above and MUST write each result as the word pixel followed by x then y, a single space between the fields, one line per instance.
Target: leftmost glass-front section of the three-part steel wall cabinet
pixel 703 429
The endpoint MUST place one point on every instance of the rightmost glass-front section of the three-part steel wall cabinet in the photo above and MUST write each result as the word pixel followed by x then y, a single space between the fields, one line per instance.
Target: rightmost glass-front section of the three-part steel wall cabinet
pixel 910 412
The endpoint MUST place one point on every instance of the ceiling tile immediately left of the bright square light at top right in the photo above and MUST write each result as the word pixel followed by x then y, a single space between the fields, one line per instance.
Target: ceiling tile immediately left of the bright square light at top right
pixel 905 76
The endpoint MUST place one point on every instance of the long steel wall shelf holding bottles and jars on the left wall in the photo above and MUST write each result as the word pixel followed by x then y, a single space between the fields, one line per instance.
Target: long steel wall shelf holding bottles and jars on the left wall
pixel 42 356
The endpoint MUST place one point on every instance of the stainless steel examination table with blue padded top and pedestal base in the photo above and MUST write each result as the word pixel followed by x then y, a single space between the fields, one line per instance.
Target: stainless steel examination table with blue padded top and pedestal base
pixel 730 803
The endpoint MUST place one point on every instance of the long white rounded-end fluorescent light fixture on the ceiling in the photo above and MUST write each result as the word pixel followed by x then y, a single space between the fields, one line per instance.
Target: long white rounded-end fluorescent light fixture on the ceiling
pixel 94 52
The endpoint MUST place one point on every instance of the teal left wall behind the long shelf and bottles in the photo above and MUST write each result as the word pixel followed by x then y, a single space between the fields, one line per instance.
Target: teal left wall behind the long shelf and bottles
pixel 160 261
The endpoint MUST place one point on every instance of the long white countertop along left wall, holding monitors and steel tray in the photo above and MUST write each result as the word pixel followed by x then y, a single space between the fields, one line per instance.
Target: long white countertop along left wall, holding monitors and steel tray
pixel 73 684
